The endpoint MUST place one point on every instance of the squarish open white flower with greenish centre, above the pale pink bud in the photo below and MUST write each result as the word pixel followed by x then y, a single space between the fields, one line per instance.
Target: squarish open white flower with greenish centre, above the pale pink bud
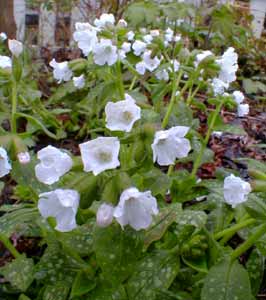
pixel 100 154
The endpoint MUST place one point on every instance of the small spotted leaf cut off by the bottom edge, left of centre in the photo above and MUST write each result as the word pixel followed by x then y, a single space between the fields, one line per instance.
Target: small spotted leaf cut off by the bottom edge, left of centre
pixel 58 291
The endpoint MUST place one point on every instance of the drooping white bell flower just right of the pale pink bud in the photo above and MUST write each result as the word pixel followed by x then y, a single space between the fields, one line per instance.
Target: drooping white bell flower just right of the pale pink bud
pixel 136 209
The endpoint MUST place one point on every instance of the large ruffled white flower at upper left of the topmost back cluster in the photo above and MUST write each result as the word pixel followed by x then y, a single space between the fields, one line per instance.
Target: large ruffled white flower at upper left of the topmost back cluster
pixel 86 37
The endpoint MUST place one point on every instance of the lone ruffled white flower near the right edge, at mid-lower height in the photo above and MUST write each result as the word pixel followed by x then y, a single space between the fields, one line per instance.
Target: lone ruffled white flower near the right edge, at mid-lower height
pixel 236 190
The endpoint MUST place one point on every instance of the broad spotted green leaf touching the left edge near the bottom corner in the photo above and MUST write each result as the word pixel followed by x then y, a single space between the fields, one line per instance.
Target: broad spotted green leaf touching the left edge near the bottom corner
pixel 19 272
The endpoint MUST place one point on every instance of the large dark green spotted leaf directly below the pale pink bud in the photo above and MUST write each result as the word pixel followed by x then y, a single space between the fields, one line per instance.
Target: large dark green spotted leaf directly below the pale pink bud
pixel 117 250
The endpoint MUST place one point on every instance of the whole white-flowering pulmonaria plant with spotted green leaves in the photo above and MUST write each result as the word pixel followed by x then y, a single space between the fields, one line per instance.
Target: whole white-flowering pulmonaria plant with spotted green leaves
pixel 132 214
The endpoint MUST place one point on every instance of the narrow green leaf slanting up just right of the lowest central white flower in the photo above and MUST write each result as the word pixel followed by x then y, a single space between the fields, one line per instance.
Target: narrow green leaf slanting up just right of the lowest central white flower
pixel 161 222
